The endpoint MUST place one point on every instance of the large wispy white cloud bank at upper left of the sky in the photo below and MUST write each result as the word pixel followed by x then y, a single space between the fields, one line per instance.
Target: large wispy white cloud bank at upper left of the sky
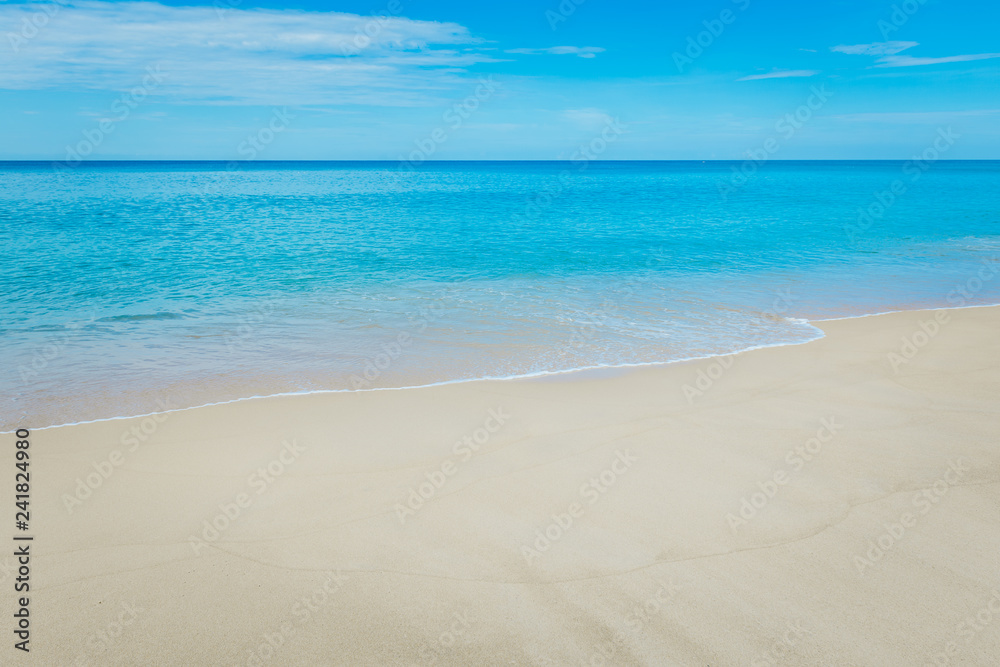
pixel 255 56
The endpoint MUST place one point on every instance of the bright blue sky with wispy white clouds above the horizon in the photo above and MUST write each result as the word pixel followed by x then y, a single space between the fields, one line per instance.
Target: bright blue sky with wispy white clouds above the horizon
pixel 416 80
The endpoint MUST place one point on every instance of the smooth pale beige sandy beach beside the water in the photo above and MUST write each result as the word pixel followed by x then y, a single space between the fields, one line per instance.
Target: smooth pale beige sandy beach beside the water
pixel 830 503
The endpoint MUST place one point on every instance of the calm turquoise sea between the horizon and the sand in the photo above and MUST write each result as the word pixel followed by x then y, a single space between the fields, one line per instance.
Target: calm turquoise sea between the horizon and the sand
pixel 129 286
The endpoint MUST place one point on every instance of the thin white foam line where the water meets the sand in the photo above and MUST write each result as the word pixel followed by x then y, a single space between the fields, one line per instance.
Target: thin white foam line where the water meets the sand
pixel 528 376
